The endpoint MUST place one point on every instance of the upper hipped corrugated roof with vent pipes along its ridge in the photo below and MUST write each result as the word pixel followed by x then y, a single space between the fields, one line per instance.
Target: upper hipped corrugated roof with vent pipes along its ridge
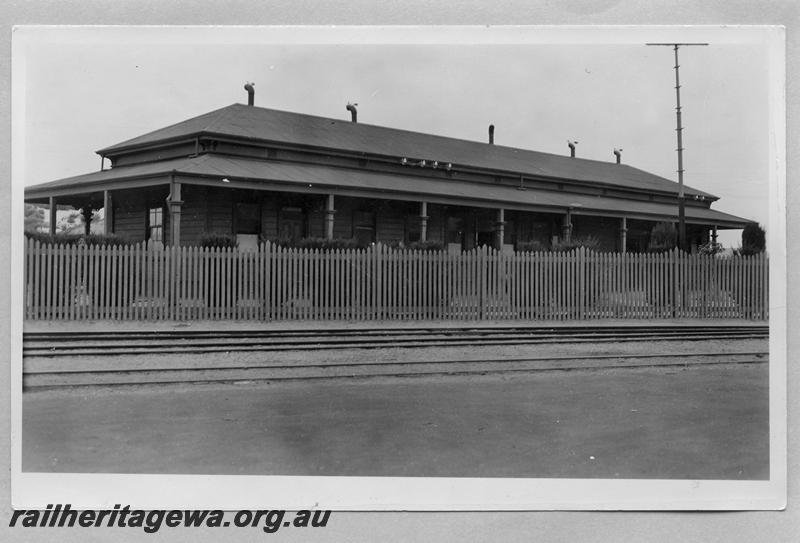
pixel 269 125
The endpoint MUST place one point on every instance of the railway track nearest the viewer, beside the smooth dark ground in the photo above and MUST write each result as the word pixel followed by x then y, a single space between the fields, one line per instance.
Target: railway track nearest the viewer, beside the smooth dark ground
pixel 269 371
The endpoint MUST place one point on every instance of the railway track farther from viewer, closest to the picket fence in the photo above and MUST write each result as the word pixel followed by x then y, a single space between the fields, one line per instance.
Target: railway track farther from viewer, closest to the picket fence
pixel 104 344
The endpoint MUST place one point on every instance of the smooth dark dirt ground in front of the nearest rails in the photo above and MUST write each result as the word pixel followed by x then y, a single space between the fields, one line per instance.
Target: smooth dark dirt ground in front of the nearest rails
pixel 694 422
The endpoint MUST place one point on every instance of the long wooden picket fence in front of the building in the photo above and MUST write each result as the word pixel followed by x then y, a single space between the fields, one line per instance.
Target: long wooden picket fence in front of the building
pixel 72 282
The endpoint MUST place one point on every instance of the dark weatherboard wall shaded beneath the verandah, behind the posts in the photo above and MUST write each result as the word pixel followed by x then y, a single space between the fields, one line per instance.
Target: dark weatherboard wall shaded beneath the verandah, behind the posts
pixel 212 210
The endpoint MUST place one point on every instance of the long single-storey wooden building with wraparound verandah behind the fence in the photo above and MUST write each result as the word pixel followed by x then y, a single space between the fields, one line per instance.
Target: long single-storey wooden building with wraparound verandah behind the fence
pixel 258 173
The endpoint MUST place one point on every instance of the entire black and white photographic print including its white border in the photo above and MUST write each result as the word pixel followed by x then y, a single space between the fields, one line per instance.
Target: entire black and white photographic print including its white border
pixel 380 268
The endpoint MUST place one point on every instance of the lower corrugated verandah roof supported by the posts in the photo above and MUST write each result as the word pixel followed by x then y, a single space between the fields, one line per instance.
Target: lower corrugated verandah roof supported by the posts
pixel 318 178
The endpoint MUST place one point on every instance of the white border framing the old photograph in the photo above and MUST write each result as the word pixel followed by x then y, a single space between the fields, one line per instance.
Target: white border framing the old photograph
pixel 419 494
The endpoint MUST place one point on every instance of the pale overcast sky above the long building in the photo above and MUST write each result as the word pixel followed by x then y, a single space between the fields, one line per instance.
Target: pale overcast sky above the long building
pixel 83 89
